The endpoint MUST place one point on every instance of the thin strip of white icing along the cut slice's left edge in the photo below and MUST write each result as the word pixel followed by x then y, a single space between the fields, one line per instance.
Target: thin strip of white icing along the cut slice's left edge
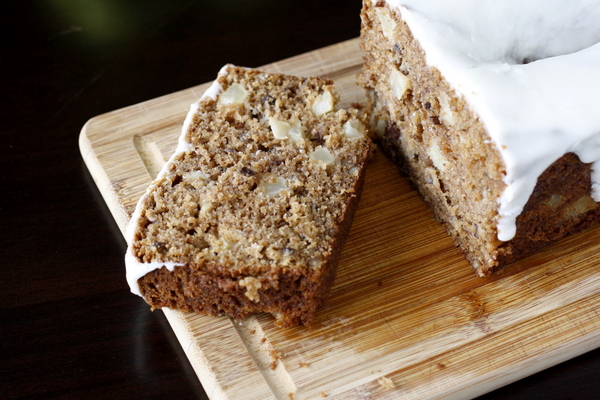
pixel 136 269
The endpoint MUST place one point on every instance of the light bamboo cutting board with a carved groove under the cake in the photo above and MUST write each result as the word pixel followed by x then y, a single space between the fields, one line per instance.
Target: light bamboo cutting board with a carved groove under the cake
pixel 407 317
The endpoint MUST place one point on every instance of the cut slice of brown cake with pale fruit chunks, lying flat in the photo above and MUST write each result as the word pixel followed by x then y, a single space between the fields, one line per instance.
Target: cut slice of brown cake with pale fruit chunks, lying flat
pixel 251 212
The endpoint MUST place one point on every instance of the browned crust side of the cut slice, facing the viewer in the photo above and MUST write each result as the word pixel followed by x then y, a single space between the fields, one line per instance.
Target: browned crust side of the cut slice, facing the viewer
pixel 291 297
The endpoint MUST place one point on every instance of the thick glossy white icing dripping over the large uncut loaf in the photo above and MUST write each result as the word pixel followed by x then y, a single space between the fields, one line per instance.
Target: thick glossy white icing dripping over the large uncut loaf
pixel 531 71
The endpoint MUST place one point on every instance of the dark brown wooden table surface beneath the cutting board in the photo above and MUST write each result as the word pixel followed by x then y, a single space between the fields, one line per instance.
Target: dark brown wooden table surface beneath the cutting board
pixel 69 326
